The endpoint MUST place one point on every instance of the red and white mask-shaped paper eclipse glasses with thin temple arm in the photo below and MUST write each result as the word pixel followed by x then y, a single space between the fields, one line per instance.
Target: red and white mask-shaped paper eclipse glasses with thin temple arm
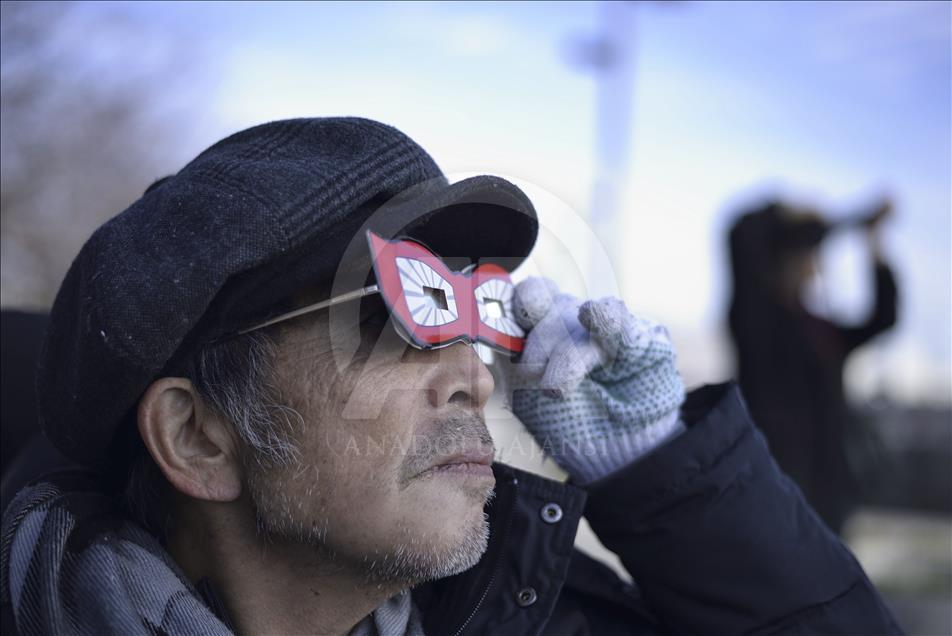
pixel 431 305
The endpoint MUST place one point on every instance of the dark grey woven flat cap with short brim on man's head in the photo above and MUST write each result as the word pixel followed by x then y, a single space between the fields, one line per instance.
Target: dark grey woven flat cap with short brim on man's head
pixel 242 227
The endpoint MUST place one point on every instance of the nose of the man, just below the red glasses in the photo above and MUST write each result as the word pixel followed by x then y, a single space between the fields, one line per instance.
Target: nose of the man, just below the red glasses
pixel 460 378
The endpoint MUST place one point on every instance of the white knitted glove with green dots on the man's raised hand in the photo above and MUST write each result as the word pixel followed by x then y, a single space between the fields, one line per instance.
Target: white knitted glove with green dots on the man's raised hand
pixel 595 386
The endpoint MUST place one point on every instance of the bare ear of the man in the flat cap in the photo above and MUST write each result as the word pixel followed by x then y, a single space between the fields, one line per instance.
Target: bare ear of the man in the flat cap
pixel 194 448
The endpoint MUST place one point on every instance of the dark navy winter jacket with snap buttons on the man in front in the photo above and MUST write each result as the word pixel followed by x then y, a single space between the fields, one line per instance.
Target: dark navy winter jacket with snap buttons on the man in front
pixel 716 538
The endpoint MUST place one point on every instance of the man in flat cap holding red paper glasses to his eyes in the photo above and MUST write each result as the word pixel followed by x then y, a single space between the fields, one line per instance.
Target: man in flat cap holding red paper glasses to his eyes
pixel 263 370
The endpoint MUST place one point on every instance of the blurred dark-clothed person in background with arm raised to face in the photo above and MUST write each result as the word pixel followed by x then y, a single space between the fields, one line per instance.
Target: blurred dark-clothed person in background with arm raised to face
pixel 790 361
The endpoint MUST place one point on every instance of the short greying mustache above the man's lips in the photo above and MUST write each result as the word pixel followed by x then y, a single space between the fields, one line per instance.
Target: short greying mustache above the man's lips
pixel 458 433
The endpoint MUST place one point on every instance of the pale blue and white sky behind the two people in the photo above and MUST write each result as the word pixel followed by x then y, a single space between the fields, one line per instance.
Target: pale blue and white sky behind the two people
pixel 829 102
